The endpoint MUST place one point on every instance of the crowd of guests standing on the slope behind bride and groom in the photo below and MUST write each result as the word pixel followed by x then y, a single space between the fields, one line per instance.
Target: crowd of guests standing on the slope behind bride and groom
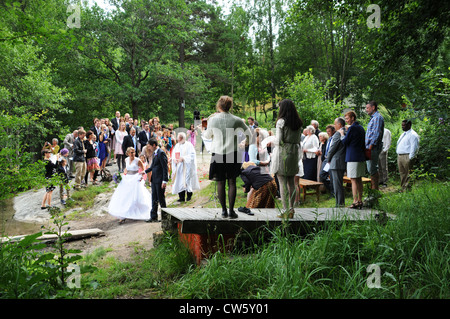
pixel 86 153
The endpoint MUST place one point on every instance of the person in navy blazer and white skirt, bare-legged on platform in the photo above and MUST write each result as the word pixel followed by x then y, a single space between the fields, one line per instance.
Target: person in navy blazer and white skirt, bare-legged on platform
pixel 354 142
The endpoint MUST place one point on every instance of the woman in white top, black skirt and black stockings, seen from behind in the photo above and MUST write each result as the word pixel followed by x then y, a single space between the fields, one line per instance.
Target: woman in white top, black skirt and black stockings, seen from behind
pixel 224 129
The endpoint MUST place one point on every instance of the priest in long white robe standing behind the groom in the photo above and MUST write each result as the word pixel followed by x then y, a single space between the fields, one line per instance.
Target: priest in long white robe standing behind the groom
pixel 184 169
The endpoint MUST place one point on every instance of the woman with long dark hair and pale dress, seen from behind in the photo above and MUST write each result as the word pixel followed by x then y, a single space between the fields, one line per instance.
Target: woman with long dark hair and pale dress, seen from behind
pixel 286 153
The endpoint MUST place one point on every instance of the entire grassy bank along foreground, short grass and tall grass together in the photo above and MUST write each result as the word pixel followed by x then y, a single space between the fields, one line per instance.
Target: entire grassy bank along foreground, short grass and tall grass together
pixel 411 252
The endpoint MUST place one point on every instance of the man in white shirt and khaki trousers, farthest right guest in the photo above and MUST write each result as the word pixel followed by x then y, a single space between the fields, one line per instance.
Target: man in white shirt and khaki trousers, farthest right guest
pixel 407 147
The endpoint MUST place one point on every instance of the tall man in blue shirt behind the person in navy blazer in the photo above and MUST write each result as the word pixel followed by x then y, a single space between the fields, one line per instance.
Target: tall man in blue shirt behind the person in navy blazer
pixel 374 141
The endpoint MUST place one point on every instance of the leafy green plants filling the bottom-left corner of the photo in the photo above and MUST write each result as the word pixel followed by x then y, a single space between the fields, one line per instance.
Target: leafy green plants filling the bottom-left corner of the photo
pixel 28 270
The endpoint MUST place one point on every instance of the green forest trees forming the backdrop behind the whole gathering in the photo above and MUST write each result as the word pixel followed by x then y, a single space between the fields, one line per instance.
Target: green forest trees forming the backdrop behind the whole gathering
pixel 63 63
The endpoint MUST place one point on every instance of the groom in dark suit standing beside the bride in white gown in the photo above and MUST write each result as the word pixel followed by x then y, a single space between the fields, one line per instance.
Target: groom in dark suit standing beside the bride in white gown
pixel 159 178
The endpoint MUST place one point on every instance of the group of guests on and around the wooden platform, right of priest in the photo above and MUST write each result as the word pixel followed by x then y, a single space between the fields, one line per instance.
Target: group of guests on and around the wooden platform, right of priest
pixel 346 148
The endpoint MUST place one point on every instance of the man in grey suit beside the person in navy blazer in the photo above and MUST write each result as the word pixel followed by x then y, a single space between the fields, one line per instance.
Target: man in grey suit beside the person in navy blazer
pixel 336 158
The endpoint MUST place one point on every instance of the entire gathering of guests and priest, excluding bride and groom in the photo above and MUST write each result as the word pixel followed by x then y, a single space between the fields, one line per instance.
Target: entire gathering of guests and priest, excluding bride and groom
pixel 274 162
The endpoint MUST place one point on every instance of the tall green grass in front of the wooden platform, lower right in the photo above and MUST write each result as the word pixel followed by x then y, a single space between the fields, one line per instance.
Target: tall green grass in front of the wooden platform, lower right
pixel 412 252
